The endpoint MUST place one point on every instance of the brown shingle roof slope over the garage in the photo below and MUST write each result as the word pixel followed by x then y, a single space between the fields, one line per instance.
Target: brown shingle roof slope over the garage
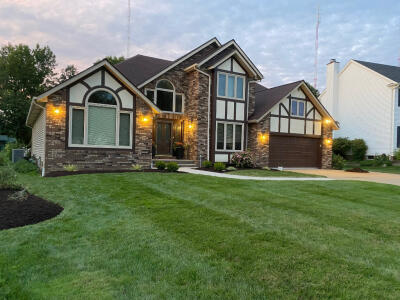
pixel 267 98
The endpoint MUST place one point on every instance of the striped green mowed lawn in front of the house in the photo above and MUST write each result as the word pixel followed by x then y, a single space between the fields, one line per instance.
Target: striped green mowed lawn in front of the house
pixel 152 235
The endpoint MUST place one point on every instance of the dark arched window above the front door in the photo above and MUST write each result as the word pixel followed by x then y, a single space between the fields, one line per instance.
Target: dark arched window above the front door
pixel 165 97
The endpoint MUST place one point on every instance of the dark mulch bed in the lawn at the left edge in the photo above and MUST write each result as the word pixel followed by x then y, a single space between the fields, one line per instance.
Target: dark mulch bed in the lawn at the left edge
pixel 14 213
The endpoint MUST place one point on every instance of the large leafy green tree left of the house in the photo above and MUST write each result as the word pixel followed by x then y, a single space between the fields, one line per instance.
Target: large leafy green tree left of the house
pixel 24 73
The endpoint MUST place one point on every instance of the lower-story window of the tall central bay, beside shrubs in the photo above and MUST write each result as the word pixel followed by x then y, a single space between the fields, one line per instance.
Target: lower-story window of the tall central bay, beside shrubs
pixel 229 136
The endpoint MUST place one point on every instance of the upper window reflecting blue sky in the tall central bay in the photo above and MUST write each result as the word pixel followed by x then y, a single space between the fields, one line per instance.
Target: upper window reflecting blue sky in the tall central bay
pixel 230 86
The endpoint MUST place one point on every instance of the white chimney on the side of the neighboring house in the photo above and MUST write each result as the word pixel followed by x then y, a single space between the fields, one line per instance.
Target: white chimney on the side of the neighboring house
pixel 332 88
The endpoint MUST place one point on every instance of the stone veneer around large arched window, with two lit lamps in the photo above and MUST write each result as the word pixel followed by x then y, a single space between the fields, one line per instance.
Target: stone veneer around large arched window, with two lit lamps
pixel 58 155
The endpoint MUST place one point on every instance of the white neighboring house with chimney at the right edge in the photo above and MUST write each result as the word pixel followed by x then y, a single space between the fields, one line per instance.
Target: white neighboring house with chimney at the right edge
pixel 364 98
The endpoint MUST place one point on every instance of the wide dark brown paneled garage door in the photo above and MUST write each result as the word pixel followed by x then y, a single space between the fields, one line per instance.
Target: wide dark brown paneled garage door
pixel 294 152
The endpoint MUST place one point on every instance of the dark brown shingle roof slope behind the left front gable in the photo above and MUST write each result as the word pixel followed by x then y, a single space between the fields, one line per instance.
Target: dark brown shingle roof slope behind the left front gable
pixel 140 67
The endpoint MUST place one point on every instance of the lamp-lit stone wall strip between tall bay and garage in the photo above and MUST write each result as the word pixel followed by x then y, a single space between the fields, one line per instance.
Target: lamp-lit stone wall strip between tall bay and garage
pixel 258 146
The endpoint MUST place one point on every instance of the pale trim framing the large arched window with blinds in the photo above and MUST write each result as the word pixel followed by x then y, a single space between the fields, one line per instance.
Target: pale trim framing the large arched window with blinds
pixel 85 123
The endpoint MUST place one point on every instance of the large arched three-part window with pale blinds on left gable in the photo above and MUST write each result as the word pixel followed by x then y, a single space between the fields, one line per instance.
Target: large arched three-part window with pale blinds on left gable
pixel 101 123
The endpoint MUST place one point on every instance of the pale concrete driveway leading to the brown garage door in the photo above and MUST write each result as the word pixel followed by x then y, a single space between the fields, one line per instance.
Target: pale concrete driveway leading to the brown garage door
pixel 342 175
